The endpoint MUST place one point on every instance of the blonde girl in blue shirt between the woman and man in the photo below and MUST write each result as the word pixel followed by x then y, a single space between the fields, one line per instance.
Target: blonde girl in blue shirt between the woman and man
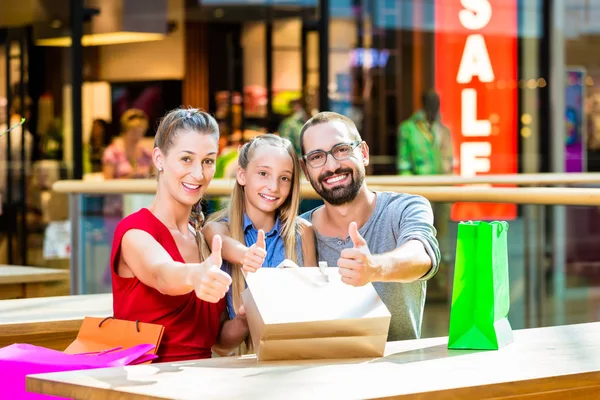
pixel 265 198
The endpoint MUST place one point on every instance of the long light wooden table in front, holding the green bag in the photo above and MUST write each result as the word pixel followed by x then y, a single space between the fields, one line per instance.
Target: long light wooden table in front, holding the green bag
pixel 543 363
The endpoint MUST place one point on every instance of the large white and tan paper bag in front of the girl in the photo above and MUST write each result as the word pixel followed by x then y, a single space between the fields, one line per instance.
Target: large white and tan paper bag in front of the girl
pixel 293 313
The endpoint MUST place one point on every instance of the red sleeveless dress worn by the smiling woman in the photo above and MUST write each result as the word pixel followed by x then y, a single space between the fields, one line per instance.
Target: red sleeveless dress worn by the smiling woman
pixel 191 325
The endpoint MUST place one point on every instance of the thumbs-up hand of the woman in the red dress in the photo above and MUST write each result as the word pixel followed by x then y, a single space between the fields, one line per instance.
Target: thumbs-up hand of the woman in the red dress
pixel 210 283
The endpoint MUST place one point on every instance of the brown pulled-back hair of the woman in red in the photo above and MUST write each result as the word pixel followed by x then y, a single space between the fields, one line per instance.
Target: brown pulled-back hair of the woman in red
pixel 170 125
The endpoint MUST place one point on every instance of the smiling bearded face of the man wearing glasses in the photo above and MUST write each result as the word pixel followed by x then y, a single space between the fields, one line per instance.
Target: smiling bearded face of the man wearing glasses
pixel 337 181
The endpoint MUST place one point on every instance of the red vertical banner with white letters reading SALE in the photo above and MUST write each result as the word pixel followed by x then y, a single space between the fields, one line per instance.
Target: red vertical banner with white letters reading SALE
pixel 476 78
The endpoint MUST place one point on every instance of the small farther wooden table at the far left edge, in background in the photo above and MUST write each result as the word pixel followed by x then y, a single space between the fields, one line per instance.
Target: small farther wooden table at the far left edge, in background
pixel 17 282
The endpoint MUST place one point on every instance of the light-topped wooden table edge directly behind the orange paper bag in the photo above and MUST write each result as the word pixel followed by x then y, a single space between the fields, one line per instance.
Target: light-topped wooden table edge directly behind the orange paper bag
pixel 51 322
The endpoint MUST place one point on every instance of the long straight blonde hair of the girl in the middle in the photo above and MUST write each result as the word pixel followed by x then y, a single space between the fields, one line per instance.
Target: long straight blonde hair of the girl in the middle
pixel 236 209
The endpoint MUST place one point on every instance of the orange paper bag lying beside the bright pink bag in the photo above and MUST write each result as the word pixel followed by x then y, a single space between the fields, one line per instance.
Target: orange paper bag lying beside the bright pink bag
pixel 100 334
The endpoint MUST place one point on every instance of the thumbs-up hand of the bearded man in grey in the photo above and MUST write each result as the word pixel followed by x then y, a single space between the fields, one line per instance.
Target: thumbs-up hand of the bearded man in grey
pixel 357 266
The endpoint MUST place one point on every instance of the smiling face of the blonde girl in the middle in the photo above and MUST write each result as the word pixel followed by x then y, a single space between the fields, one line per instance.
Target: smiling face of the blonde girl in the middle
pixel 267 180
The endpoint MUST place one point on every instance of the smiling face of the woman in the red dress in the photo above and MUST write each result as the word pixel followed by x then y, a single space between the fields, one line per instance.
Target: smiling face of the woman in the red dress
pixel 188 166
